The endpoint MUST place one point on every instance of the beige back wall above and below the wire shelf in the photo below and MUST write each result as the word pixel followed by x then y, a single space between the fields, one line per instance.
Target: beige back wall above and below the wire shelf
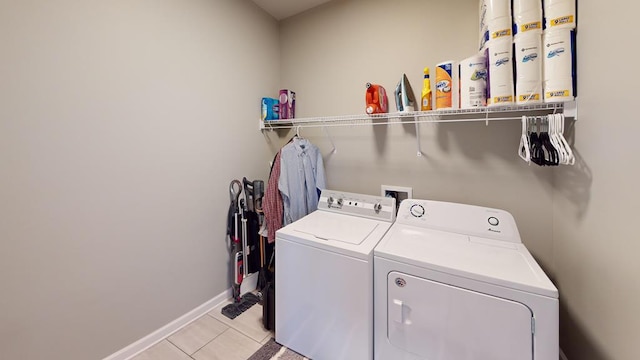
pixel 328 54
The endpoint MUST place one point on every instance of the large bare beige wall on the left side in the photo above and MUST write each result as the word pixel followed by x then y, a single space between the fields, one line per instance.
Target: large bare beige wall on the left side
pixel 121 125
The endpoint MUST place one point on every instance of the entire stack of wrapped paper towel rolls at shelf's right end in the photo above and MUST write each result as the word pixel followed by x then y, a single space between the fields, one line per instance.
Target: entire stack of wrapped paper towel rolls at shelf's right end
pixel 512 37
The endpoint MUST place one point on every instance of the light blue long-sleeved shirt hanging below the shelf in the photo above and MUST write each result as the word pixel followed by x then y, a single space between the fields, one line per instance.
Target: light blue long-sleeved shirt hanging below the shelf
pixel 301 179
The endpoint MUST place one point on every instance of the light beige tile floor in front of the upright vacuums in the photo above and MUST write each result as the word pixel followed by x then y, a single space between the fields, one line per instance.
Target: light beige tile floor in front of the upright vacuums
pixel 213 337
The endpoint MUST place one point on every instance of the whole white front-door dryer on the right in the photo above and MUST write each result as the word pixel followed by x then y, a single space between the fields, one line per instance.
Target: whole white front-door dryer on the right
pixel 454 281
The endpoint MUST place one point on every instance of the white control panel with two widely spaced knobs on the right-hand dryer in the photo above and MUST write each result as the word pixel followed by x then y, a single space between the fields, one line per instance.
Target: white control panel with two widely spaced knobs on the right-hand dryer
pixel 471 220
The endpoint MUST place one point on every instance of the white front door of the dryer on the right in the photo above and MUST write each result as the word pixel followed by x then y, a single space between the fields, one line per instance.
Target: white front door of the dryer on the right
pixel 441 322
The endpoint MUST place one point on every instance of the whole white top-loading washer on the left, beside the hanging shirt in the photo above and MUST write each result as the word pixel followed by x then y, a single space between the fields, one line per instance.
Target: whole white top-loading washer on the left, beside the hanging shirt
pixel 324 276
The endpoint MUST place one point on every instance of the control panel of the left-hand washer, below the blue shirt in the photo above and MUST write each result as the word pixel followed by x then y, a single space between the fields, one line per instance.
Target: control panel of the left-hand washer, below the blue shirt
pixel 375 207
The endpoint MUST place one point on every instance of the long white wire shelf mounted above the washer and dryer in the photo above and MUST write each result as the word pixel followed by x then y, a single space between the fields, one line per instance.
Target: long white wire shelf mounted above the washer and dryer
pixel 513 112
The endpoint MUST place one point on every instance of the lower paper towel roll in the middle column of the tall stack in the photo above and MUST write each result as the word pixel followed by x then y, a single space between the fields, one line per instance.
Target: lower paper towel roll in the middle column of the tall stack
pixel 528 58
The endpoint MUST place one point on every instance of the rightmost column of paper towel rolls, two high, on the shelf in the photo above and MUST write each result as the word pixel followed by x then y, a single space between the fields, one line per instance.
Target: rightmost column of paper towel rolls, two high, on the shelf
pixel 559 50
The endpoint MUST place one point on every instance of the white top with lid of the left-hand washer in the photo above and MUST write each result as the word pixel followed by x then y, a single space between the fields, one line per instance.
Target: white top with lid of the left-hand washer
pixel 352 235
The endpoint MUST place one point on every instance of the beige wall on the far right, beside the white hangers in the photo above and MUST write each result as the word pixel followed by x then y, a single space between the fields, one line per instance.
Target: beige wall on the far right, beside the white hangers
pixel 595 202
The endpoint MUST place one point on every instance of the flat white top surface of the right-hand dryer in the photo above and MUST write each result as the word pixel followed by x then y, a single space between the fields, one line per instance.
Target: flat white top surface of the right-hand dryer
pixel 488 260
